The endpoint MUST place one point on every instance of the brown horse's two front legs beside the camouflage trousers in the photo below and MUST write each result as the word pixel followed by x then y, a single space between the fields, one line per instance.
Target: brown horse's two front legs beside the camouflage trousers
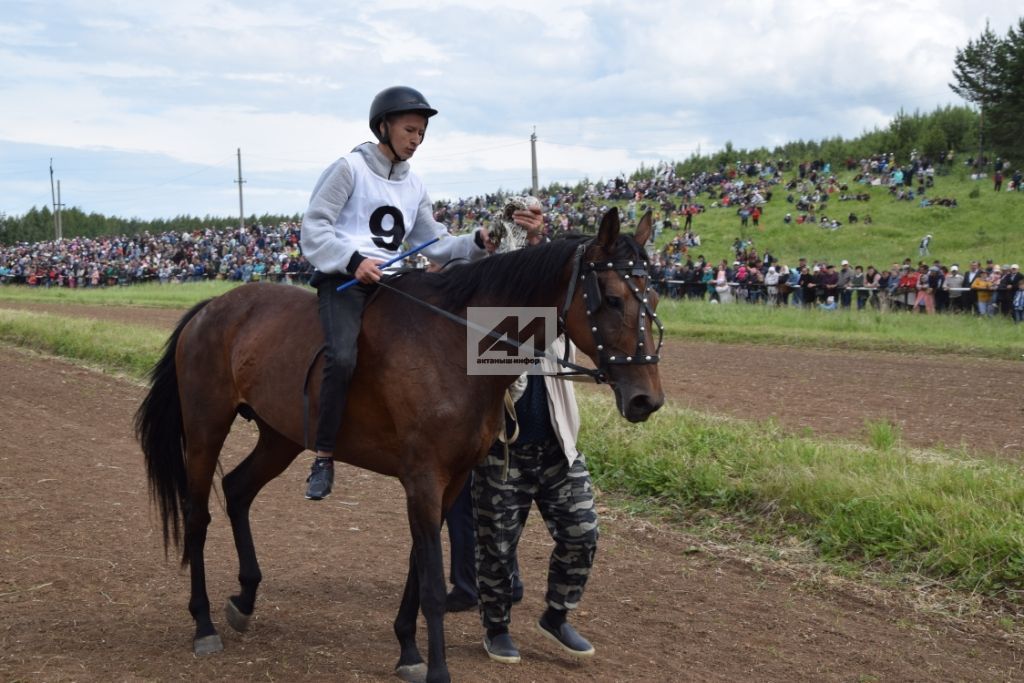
pixel 426 565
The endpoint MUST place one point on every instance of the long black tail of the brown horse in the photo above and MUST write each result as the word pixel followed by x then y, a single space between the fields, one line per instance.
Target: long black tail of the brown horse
pixel 159 431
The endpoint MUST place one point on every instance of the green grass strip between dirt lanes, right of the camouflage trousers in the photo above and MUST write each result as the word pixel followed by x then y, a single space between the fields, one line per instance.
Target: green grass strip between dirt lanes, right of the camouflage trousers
pixel 958 521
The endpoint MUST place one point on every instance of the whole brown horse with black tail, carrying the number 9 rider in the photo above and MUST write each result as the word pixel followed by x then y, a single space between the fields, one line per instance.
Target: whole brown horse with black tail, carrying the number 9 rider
pixel 254 351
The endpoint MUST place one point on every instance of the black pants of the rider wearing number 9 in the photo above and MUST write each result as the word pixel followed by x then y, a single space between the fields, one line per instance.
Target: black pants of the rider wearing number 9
pixel 342 318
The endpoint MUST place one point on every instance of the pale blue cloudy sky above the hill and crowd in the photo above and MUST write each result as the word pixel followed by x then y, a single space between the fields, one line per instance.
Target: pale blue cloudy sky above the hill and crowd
pixel 142 106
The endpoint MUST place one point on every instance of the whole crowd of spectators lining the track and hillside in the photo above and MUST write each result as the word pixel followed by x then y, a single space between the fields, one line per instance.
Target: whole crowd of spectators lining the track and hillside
pixel 272 253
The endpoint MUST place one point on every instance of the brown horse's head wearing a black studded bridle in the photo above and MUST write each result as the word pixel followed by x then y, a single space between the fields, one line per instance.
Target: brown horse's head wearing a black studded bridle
pixel 612 316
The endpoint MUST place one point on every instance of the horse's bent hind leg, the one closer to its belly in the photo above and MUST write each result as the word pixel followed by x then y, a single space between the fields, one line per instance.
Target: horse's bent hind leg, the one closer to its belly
pixel 272 455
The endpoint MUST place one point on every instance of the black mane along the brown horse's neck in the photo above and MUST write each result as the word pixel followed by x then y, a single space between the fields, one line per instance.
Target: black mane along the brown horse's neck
pixel 531 273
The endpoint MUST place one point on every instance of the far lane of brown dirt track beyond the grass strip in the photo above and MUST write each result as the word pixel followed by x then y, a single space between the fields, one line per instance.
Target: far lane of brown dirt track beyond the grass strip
pixel 936 401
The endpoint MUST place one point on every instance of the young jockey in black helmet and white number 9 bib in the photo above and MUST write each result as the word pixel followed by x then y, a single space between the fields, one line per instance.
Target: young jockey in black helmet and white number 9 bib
pixel 364 207
